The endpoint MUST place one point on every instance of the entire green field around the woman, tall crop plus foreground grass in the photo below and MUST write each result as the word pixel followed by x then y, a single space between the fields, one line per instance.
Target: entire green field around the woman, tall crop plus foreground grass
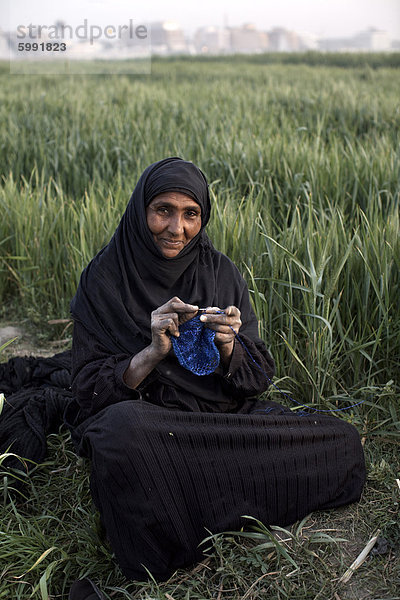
pixel 303 158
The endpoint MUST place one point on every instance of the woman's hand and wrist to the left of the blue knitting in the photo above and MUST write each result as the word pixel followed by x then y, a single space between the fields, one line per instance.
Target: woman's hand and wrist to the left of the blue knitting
pixel 165 322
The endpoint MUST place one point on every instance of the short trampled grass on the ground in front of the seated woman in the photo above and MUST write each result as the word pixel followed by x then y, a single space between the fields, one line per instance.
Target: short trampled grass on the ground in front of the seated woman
pixel 53 536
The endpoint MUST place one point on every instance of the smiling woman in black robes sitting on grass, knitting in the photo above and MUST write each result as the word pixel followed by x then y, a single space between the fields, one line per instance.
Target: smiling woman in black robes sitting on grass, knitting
pixel 166 394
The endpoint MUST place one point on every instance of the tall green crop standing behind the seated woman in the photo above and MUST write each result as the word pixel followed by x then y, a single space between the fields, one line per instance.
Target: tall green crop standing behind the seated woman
pixel 304 174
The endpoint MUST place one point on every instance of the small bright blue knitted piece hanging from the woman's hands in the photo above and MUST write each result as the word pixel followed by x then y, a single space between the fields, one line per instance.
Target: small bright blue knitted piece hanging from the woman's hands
pixel 195 348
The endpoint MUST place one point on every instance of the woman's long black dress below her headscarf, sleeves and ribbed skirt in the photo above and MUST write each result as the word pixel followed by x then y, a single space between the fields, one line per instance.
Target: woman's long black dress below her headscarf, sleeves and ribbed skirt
pixel 168 467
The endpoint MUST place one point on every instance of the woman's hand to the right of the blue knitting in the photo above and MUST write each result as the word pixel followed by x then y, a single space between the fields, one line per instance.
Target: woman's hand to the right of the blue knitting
pixel 225 326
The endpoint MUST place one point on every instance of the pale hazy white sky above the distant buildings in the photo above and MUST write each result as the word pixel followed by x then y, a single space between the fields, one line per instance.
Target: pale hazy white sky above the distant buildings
pixel 325 18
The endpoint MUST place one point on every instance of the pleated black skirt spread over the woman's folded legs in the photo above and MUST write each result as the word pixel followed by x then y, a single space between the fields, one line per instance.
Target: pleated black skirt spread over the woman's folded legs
pixel 162 479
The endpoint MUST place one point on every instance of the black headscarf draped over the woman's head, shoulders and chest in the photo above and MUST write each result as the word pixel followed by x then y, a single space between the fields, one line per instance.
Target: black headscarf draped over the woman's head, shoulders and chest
pixel 130 277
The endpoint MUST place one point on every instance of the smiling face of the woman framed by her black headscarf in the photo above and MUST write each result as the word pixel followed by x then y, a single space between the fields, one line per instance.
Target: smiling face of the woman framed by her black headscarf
pixel 174 219
